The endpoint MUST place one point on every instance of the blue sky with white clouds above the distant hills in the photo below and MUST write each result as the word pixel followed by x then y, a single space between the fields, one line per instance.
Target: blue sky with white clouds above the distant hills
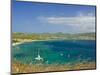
pixel 51 18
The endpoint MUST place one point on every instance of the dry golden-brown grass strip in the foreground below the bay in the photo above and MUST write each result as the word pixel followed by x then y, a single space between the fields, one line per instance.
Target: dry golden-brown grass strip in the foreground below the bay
pixel 24 68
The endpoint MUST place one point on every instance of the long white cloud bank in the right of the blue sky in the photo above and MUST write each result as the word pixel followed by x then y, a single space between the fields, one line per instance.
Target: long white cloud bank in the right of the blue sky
pixel 80 22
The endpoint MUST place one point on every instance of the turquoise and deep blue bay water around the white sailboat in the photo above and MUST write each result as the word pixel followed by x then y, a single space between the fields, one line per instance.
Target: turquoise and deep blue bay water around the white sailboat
pixel 58 51
